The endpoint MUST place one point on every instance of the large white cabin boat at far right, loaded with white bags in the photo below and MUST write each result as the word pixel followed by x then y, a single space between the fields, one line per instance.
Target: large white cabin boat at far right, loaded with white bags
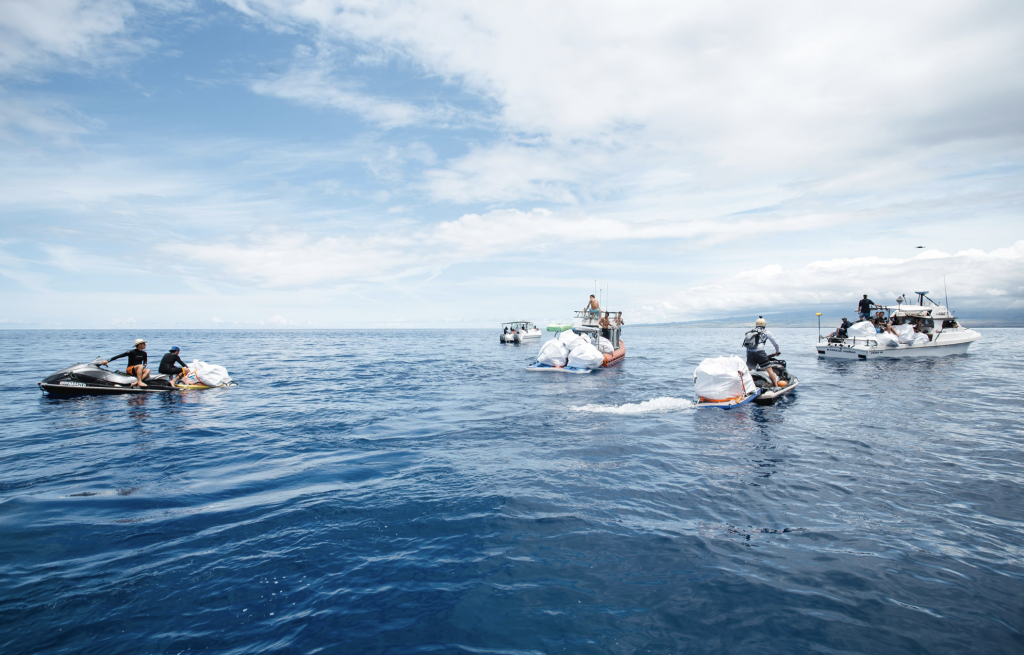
pixel 946 335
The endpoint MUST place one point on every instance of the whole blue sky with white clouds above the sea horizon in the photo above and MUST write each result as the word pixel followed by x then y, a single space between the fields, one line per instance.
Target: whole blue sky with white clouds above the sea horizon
pixel 432 164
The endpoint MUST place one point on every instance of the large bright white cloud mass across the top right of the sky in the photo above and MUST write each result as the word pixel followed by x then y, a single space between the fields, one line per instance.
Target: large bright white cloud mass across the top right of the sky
pixel 780 72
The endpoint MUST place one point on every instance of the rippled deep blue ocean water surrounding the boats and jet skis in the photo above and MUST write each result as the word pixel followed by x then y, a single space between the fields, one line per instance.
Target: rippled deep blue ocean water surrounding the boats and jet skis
pixel 420 492
